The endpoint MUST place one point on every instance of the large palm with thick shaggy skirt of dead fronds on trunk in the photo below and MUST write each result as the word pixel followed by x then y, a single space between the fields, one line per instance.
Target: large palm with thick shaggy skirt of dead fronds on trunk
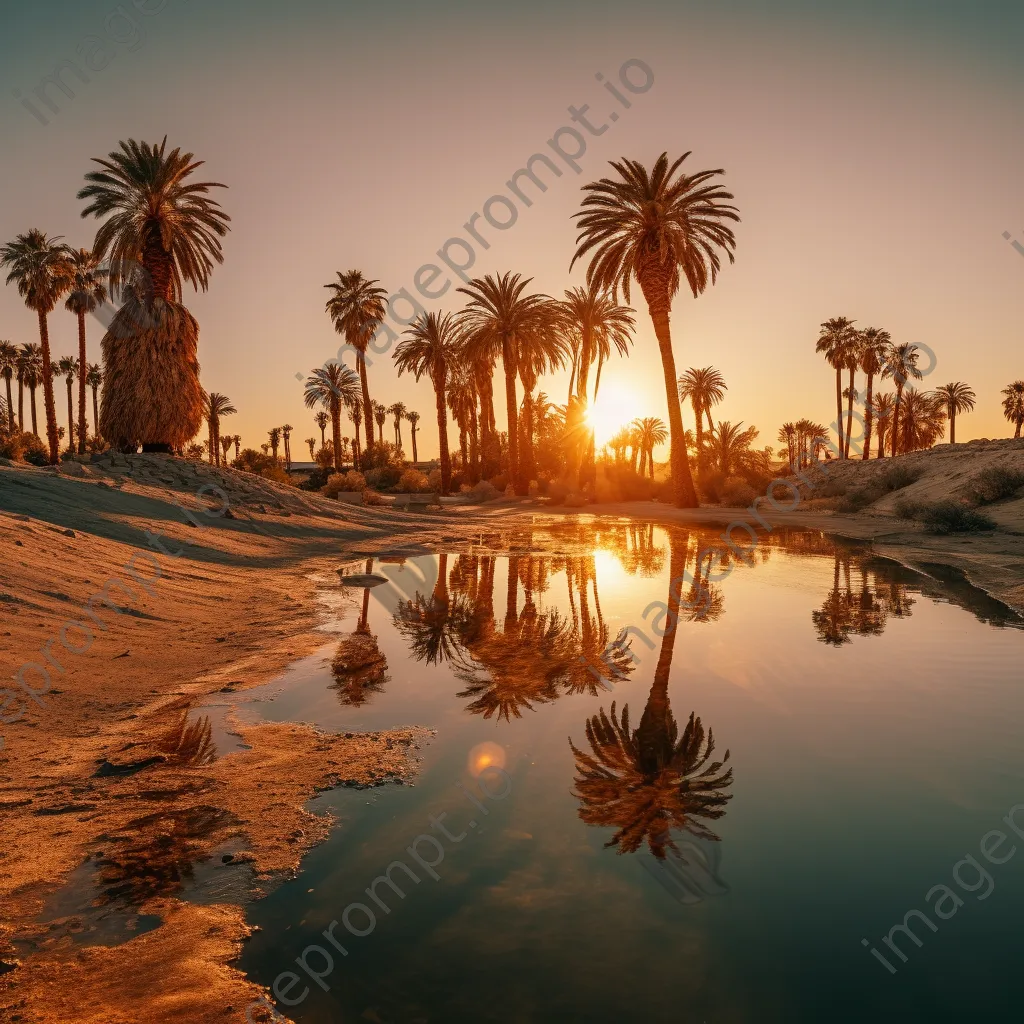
pixel 168 226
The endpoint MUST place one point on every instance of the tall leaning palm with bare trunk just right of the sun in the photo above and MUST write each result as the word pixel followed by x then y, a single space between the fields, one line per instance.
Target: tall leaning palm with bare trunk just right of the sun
pixel 652 228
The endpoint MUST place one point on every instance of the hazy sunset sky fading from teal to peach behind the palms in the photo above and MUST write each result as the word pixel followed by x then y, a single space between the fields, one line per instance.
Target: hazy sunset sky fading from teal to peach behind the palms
pixel 874 150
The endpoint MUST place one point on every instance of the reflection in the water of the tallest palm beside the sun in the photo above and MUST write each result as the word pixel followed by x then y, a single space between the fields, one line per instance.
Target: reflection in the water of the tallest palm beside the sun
pixel 650 782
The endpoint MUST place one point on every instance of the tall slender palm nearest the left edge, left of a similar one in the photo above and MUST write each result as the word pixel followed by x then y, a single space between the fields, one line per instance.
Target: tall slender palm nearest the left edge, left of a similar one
pixel 41 270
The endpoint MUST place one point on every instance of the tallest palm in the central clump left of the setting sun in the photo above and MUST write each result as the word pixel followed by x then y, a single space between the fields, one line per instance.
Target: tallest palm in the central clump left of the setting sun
pixel 501 321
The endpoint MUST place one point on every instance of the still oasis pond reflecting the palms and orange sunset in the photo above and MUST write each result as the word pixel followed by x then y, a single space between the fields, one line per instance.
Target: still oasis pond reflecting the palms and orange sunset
pixel 872 716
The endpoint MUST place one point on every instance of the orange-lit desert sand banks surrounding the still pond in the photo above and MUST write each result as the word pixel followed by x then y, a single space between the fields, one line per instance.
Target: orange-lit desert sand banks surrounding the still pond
pixel 220 600
